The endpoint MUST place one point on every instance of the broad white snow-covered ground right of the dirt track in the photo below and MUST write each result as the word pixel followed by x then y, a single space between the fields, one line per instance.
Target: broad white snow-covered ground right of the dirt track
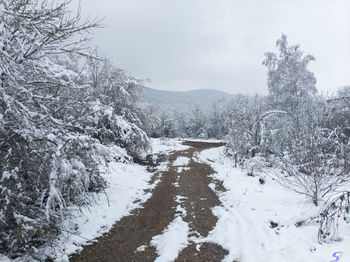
pixel 257 221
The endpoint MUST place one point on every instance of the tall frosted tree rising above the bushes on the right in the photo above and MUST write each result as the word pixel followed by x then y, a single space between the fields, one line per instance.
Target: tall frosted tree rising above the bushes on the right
pixel 291 85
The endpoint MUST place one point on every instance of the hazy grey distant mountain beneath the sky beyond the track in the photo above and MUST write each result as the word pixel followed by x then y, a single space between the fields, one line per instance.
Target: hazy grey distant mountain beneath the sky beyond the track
pixel 201 97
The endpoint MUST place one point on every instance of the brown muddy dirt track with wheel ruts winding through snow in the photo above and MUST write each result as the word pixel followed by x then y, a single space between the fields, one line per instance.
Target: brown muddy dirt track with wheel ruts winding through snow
pixel 142 224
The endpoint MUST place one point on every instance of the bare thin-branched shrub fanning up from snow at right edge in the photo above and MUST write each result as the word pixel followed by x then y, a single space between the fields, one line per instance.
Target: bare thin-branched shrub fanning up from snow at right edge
pixel 316 167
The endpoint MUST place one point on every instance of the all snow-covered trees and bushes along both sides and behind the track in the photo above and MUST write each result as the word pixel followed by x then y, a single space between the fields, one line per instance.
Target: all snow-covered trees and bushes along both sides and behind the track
pixel 64 109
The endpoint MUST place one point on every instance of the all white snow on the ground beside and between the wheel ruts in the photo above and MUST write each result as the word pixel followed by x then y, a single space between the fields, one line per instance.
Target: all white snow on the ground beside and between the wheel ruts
pixel 256 222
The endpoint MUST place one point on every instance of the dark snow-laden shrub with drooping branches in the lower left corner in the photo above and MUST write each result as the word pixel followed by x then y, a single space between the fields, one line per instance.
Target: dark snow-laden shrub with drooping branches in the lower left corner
pixel 40 180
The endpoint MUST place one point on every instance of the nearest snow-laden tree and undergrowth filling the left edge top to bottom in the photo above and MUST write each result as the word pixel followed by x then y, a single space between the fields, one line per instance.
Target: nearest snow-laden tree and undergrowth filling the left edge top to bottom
pixel 43 167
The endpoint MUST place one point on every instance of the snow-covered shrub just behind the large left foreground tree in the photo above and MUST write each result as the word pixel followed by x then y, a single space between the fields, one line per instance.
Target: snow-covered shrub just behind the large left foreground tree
pixel 117 118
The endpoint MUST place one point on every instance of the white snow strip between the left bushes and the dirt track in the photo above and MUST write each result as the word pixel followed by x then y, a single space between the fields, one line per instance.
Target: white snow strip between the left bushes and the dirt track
pixel 126 183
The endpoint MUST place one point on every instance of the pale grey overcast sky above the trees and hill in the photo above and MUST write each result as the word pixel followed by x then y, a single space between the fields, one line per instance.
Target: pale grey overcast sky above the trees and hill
pixel 220 44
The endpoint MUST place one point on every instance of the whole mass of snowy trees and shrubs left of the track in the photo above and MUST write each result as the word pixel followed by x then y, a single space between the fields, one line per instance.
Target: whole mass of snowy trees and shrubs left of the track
pixel 63 111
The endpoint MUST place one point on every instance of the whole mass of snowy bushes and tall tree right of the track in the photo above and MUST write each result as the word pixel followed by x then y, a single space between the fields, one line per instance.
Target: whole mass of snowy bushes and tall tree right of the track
pixel 295 135
